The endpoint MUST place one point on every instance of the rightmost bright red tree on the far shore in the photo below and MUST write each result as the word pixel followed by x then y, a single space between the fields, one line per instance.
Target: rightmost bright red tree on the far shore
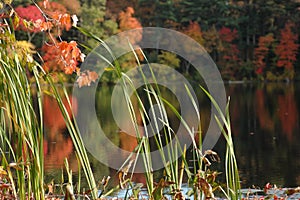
pixel 286 50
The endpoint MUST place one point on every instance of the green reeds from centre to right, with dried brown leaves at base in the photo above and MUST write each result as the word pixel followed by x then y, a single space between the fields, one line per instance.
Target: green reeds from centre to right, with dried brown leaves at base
pixel 173 168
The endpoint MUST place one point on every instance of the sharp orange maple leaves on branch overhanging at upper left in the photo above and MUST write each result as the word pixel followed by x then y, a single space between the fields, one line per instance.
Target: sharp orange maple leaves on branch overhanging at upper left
pixel 58 56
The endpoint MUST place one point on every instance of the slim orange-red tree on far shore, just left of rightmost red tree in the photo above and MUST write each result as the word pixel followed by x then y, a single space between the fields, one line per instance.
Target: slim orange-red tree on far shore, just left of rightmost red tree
pixel 262 51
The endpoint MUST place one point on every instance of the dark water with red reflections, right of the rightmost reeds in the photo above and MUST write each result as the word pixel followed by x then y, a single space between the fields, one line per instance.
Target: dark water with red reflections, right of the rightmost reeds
pixel 265 120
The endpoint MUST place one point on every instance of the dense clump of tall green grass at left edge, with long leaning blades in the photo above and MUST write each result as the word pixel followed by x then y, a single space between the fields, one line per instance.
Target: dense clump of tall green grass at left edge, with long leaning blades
pixel 21 118
